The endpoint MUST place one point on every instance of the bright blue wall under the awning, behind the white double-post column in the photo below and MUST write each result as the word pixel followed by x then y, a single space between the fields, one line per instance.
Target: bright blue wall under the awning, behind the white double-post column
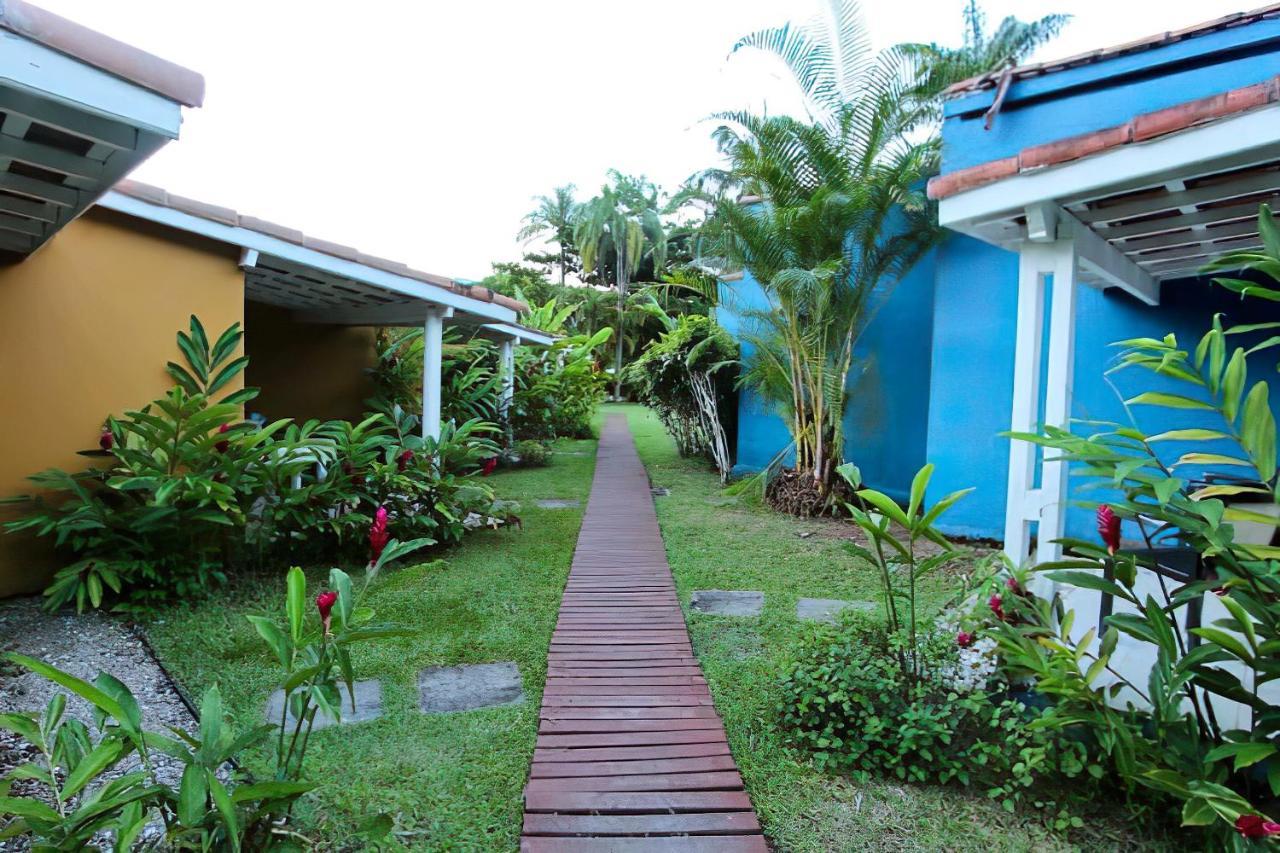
pixel 973 370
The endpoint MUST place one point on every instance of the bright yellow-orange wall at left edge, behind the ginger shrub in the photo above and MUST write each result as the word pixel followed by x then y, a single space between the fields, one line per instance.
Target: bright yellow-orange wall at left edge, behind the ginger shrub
pixel 86 327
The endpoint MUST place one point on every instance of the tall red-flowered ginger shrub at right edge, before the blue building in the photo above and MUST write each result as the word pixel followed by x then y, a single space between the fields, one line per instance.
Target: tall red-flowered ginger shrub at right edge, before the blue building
pixel 1164 735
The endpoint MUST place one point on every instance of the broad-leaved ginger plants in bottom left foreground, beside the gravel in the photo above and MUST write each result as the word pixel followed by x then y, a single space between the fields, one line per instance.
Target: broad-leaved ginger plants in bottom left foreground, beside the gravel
pixel 217 806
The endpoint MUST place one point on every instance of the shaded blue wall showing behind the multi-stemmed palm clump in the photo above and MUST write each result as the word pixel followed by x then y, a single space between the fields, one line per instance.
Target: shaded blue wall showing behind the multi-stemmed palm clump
pixel 888 421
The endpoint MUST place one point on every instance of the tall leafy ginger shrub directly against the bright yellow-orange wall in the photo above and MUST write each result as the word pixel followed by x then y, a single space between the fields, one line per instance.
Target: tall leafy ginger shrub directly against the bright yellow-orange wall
pixel 161 518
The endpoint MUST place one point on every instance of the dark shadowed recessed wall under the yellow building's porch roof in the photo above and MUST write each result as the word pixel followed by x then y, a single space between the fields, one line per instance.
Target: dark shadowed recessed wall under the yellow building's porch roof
pixel 307 370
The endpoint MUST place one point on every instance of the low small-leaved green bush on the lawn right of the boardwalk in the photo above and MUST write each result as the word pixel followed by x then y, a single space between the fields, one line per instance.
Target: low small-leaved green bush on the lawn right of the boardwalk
pixel 848 701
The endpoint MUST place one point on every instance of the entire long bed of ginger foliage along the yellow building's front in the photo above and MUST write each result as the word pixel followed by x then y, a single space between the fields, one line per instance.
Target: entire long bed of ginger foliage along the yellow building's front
pixel 185 491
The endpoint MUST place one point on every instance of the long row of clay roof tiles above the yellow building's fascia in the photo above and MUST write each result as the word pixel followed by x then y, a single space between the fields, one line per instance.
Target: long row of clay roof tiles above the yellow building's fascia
pixel 228 217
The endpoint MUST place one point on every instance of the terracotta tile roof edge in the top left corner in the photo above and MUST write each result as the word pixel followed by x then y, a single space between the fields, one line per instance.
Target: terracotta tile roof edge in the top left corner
pixel 136 66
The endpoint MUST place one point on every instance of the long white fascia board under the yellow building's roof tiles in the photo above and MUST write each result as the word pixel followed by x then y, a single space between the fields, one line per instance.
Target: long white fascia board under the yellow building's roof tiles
pixel 277 248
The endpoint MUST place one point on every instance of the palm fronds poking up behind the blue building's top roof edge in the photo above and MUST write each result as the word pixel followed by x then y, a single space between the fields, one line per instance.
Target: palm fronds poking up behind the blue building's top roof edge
pixel 1012 43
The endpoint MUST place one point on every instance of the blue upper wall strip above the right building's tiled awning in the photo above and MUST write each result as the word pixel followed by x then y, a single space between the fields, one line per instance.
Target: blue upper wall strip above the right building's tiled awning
pixel 1109 93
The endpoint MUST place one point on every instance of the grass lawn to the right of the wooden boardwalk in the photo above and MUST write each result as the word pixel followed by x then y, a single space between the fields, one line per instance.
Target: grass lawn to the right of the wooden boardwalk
pixel 715 542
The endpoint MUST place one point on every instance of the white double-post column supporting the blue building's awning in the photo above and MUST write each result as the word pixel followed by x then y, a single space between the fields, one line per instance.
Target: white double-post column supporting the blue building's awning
pixel 1048 504
